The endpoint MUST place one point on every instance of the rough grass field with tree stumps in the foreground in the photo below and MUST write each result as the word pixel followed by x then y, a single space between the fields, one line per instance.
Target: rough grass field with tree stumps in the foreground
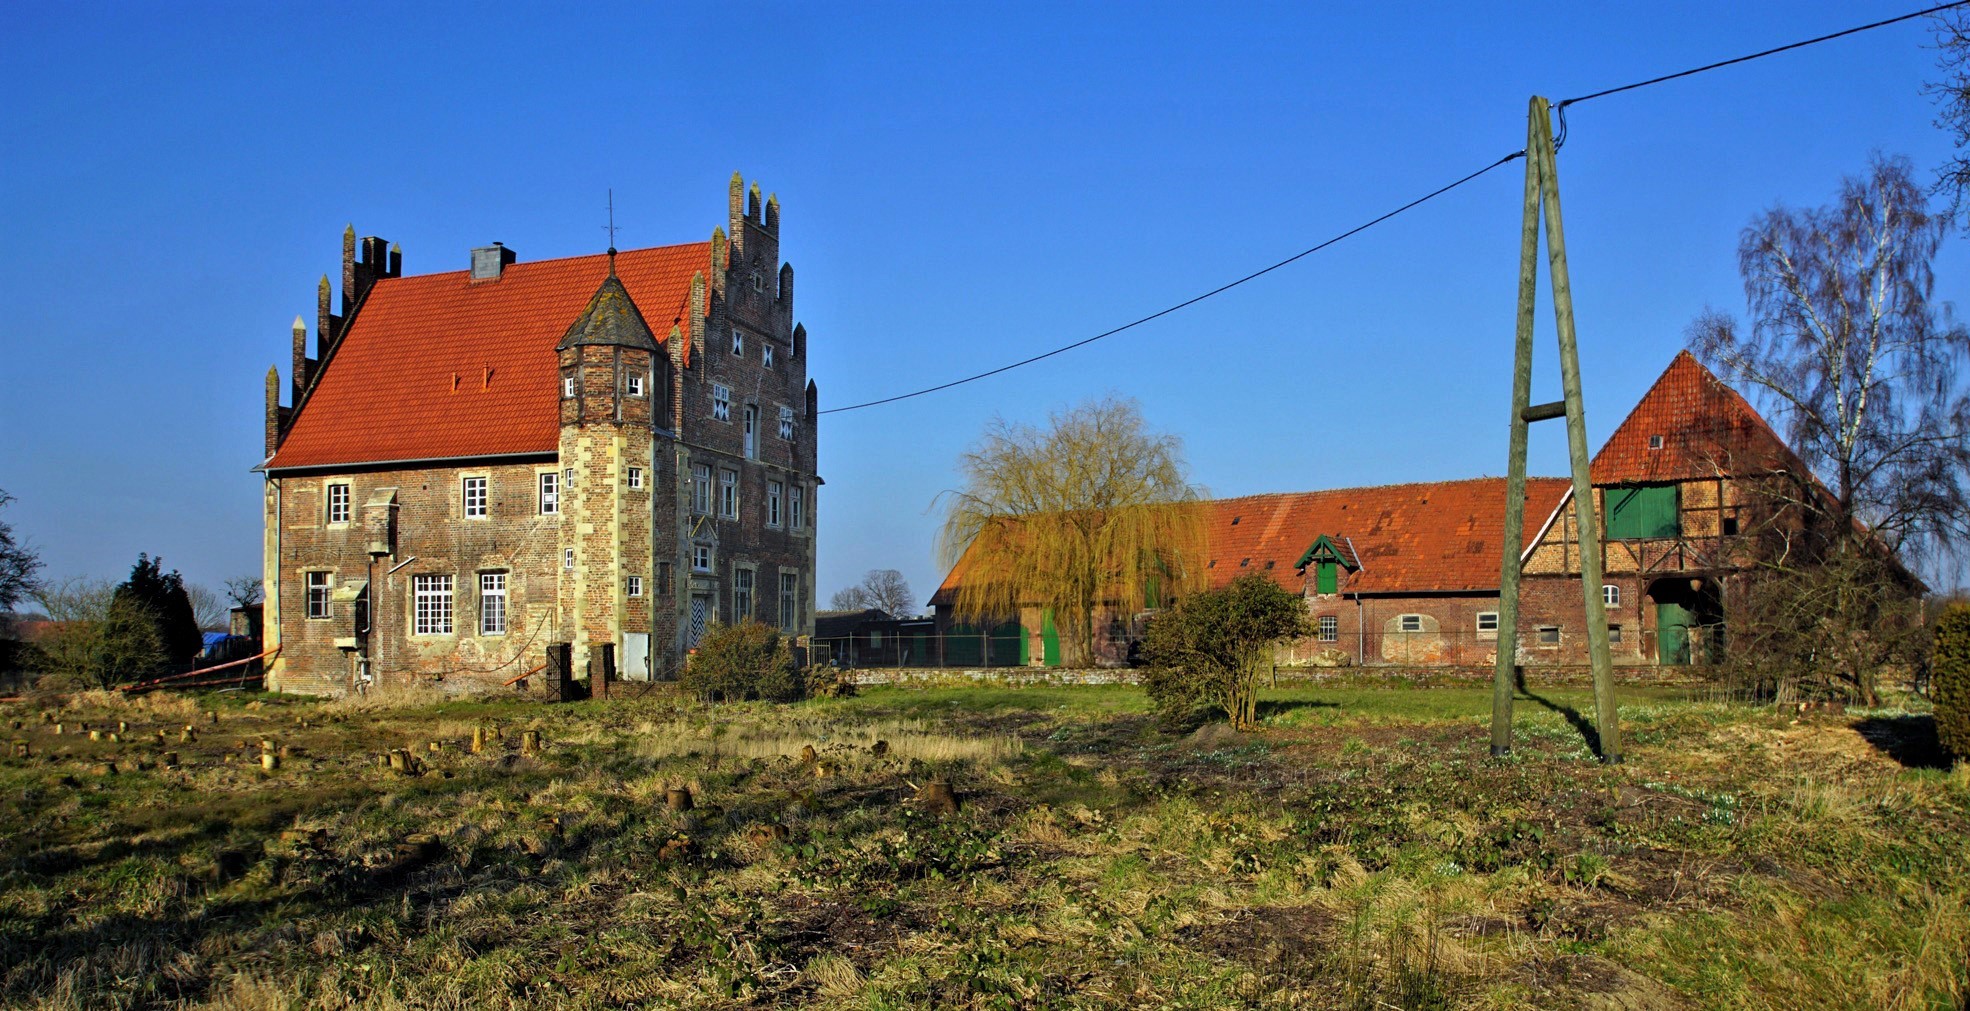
pixel 1360 852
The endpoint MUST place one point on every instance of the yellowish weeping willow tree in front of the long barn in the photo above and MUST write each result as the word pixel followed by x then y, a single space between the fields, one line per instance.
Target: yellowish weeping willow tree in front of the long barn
pixel 1086 513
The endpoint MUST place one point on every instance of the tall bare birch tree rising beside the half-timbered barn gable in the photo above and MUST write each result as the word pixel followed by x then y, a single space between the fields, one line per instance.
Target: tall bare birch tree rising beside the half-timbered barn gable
pixel 1855 360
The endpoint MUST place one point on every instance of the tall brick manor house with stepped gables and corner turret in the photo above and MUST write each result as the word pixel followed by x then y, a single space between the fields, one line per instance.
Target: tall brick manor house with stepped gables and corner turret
pixel 608 452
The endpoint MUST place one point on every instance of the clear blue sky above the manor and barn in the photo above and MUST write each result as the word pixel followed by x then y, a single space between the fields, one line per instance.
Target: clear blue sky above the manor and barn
pixel 962 186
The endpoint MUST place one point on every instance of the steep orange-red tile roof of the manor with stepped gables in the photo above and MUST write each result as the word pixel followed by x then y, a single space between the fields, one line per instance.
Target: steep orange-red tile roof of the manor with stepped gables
pixel 440 368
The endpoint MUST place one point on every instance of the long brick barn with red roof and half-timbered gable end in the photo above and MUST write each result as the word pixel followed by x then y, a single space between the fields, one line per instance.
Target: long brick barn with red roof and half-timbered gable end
pixel 1410 574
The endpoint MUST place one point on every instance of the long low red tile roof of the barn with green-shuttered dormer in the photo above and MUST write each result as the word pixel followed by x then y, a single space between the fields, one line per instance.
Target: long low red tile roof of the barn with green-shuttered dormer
pixel 1412 539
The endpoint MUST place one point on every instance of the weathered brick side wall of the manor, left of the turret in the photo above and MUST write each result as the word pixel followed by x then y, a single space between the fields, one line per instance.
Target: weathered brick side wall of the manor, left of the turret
pixel 434 537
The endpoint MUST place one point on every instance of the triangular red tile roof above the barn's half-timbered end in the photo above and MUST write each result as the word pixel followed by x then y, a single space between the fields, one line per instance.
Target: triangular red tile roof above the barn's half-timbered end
pixel 1707 431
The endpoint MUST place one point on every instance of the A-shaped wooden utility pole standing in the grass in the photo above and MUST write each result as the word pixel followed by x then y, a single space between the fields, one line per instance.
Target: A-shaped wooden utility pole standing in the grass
pixel 1543 194
